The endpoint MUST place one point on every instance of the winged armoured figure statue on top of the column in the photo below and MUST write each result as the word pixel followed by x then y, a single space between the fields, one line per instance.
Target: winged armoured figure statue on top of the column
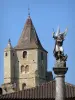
pixel 58 49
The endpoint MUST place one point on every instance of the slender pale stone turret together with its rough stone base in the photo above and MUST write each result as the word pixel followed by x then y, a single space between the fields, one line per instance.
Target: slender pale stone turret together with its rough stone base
pixel 9 68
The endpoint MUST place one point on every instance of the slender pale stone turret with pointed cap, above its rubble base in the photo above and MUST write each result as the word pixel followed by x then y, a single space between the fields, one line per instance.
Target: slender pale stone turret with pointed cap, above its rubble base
pixel 8 64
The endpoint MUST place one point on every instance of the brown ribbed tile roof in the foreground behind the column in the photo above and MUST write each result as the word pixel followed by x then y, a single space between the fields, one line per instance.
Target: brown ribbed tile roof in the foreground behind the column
pixel 44 91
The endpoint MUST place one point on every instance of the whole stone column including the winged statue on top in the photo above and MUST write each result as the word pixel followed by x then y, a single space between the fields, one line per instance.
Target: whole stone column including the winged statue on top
pixel 60 68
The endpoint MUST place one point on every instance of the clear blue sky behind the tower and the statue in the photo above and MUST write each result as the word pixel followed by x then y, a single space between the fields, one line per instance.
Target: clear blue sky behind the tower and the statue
pixel 45 14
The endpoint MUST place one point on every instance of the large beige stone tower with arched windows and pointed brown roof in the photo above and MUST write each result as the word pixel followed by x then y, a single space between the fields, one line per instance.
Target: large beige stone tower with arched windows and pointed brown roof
pixel 31 59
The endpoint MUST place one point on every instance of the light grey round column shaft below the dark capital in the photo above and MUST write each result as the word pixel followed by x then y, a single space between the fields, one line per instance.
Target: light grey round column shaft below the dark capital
pixel 60 87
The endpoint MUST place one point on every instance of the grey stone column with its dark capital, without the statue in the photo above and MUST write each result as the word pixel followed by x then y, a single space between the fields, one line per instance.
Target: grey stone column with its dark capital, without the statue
pixel 60 82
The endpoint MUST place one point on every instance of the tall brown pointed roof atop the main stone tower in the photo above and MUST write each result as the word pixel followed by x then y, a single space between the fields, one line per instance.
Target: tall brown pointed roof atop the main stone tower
pixel 29 38
